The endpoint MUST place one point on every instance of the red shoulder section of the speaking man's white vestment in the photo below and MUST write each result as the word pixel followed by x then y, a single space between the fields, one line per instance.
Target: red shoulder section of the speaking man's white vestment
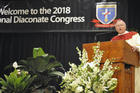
pixel 126 36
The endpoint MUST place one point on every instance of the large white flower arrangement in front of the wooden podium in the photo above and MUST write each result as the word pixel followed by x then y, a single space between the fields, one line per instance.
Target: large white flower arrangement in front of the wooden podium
pixel 88 77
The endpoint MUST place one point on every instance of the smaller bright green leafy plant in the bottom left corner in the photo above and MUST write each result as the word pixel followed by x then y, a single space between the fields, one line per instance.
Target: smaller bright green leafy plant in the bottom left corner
pixel 16 82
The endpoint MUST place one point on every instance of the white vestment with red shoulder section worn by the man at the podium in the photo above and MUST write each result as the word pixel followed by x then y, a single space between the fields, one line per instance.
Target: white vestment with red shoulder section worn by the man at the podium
pixel 132 38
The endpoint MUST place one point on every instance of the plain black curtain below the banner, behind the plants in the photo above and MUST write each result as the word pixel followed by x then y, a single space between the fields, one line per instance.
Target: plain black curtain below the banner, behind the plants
pixel 16 46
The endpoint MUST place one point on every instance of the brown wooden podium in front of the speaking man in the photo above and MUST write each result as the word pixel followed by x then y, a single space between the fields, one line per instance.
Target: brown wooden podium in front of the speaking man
pixel 125 59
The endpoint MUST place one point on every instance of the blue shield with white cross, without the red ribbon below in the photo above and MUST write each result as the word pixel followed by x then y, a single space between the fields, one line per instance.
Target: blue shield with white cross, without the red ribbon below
pixel 106 12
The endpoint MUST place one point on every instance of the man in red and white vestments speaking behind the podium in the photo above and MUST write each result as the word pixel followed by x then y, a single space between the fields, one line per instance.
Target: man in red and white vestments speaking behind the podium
pixel 133 39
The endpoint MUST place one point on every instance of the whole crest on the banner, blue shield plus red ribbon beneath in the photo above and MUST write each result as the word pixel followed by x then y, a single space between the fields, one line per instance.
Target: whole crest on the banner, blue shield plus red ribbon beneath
pixel 106 12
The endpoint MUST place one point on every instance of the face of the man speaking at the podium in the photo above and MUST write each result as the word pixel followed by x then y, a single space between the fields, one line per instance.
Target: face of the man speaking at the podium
pixel 120 27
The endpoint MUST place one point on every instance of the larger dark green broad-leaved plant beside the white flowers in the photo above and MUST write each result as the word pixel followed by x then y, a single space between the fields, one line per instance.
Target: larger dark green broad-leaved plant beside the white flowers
pixel 46 67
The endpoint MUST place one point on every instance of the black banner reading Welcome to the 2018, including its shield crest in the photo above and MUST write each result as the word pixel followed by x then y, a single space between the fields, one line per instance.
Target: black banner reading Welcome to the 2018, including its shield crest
pixel 59 15
